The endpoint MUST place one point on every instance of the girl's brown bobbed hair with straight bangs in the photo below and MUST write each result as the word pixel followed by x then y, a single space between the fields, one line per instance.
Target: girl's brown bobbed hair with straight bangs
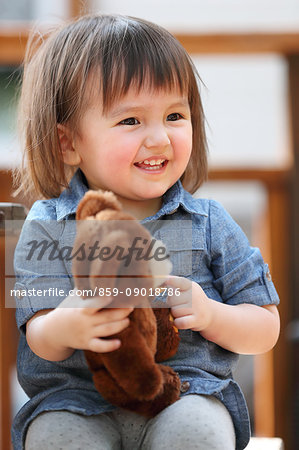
pixel 115 52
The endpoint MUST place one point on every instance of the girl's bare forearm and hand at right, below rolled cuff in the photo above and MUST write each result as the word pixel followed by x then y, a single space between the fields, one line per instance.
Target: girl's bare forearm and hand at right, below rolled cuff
pixel 243 328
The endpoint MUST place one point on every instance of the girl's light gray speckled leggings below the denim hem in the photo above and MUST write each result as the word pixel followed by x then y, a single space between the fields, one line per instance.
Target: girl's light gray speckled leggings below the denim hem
pixel 193 422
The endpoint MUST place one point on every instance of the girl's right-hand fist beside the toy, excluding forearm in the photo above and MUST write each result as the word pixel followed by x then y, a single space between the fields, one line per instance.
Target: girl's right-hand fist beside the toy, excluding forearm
pixel 191 309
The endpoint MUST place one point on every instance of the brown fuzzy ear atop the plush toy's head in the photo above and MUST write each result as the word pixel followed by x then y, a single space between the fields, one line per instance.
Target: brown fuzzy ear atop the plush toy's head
pixel 94 202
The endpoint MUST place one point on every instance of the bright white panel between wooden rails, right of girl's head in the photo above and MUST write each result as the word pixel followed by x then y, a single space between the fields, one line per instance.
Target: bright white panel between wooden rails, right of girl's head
pixel 245 101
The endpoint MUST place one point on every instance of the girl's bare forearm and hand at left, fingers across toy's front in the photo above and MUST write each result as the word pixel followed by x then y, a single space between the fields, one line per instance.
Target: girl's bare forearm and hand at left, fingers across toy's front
pixel 76 324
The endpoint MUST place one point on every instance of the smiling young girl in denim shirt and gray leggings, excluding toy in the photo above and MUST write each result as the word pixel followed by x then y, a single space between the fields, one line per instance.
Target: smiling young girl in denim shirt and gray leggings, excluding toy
pixel 114 101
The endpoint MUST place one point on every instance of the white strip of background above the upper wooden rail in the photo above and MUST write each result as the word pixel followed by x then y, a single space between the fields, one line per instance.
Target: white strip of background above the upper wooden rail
pixel 209 15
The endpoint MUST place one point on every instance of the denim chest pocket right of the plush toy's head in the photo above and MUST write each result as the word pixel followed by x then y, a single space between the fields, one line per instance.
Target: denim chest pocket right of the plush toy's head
pixel 185 248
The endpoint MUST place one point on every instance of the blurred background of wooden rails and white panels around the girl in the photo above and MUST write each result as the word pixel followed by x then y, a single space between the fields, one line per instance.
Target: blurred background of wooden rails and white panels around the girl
pixel 247 55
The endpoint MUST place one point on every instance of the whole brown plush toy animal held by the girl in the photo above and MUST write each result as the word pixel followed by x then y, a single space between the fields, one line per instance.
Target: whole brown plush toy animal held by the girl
pixel 129 377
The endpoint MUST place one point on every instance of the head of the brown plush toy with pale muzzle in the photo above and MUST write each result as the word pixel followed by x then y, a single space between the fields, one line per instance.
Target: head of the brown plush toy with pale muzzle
pixel 127 254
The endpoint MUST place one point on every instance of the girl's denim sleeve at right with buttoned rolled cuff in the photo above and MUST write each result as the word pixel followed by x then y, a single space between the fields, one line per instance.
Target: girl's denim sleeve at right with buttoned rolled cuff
pixel 240 274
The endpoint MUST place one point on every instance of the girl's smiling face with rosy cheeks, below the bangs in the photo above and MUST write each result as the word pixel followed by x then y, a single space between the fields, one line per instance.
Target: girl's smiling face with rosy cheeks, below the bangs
pixel 139 148
